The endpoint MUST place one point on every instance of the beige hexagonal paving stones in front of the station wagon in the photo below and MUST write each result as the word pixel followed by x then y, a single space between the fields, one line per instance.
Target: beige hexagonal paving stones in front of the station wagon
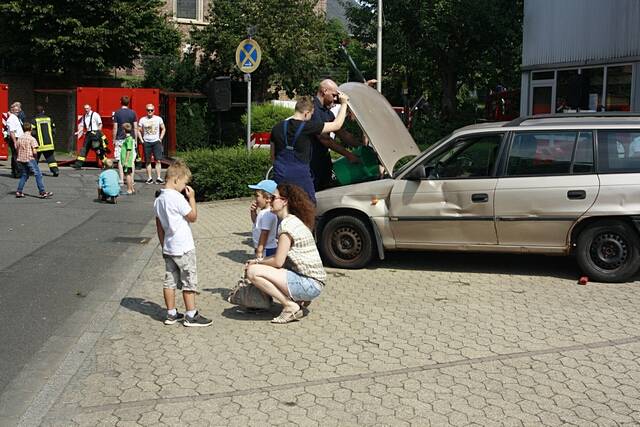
pixel 419 339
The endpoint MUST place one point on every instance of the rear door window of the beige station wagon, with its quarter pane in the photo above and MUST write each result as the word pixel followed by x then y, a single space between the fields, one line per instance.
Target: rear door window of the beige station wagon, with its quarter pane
pixel 545 153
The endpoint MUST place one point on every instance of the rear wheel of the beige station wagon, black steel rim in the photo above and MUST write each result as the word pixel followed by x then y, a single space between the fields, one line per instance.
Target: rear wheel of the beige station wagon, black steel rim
pixel 608 251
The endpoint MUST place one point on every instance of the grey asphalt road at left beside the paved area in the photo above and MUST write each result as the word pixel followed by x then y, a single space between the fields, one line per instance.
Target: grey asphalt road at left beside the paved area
pixel 55 254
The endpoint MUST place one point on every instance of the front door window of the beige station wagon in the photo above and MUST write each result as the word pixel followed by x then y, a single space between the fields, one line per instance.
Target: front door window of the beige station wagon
pixel 467 157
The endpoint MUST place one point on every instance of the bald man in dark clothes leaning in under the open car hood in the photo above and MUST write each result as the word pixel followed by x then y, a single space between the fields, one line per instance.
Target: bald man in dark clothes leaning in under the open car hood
pixel 321 165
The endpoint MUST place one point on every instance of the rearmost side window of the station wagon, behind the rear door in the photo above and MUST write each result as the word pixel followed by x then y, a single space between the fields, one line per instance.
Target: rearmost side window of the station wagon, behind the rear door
pixel 618 151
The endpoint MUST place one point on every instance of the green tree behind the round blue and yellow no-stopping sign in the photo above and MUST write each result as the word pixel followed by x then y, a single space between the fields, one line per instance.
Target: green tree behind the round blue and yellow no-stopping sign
pixel 298 46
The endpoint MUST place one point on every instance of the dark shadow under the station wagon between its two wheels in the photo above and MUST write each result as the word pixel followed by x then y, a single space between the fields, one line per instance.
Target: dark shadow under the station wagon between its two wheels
pixel 563 267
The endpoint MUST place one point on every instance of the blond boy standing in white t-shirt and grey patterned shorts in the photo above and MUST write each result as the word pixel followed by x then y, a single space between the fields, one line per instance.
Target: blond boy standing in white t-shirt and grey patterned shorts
pixel 175 208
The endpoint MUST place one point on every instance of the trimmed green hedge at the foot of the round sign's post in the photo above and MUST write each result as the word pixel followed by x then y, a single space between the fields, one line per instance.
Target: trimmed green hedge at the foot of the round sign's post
pixel 224 173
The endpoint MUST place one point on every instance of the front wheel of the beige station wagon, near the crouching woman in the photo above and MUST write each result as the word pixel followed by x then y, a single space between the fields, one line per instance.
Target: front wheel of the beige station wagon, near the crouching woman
pixel 346 242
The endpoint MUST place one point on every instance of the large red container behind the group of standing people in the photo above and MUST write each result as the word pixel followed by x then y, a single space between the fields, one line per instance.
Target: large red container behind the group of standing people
pixel 105 101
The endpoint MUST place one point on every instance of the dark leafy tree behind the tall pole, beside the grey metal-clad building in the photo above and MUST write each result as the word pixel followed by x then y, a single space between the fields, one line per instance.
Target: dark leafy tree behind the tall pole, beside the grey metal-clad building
pixel 444 47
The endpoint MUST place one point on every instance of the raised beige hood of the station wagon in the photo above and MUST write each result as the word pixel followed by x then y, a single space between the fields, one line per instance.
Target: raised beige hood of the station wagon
pixel 387 134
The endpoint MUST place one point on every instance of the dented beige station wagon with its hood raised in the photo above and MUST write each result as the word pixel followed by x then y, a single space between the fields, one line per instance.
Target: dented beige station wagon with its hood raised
pixel 560 184
